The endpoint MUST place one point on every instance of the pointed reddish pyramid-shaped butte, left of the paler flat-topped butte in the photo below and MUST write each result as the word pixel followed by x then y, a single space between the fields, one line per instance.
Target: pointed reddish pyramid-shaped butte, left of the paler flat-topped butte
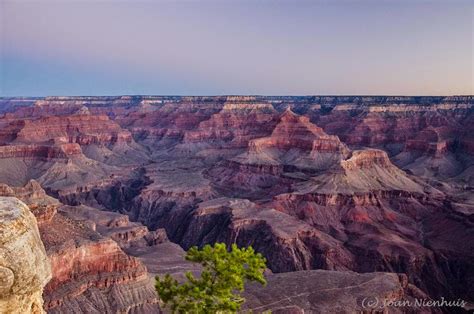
pixel 294 144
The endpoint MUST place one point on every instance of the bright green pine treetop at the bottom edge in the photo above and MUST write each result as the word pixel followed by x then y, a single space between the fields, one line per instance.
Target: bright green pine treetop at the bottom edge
pixel 221 283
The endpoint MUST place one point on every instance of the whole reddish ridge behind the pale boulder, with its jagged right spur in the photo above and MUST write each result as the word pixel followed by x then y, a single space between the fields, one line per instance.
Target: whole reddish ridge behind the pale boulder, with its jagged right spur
pixel 89 271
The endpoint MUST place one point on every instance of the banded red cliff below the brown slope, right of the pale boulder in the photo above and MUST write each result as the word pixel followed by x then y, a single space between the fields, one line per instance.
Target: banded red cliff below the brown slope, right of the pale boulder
pixel 97 276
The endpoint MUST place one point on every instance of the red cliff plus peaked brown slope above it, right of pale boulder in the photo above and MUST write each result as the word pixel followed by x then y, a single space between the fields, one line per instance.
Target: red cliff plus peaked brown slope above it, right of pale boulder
pixel 91 273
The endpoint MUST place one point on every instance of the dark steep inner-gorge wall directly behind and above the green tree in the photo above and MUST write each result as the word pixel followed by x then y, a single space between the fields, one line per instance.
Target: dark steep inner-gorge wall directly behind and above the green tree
pixel 287 243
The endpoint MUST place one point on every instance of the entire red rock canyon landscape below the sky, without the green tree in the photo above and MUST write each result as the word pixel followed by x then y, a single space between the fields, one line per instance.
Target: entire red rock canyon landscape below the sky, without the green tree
pixel 347 197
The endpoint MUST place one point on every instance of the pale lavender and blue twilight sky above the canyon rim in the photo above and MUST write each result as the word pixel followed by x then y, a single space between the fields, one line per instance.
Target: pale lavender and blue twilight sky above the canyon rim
pixel 265 47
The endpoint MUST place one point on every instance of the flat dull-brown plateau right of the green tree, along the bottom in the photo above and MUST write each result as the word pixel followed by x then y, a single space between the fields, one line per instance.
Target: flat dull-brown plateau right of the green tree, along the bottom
pixel 322 291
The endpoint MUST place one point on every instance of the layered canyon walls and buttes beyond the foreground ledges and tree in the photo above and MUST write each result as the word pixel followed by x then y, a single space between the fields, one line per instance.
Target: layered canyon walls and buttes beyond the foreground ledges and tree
pixel 364 183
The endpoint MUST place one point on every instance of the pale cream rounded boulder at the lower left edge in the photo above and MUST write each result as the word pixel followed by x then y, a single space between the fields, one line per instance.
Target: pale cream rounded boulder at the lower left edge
pixel 24 266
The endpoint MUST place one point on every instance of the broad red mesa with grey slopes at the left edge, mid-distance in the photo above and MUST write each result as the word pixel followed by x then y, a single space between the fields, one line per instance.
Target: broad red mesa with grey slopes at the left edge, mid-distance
pixel 68 149
